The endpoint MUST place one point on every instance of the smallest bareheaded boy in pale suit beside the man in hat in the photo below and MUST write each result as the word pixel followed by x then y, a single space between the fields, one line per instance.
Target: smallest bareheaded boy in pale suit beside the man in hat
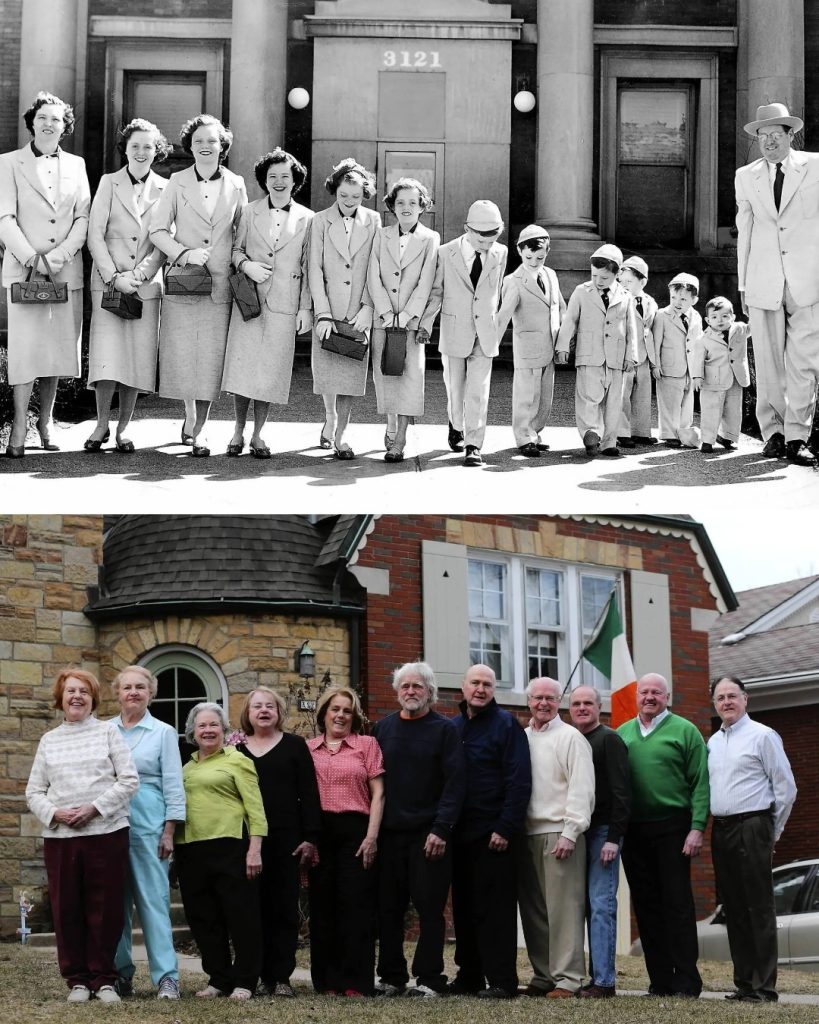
pixel 720 370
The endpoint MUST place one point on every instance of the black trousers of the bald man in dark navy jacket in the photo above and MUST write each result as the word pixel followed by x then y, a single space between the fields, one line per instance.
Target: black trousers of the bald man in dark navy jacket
pixel 485 913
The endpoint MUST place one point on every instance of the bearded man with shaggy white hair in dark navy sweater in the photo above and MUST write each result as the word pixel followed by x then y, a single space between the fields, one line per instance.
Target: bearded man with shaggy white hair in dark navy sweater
pixel 425 781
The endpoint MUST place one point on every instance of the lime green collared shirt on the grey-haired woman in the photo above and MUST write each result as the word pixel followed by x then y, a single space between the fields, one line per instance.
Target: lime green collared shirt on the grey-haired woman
pixel 223 797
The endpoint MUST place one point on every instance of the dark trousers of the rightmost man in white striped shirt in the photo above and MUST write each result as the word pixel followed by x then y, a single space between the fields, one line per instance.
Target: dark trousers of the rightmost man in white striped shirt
pixel 743 851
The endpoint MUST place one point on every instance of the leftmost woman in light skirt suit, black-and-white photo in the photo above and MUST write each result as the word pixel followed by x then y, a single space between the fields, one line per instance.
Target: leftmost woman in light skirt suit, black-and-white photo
pixel 45 204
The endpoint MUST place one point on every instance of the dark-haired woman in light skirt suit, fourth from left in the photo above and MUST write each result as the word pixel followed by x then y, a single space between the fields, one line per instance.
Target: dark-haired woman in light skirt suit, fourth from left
pixel 271 248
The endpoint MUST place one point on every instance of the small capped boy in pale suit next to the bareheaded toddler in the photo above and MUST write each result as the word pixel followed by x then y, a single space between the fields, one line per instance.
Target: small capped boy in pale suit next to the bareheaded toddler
pixel 677 329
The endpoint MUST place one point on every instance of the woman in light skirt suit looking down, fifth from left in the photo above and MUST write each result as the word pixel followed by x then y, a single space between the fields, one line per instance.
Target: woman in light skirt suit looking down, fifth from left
pixel 341 240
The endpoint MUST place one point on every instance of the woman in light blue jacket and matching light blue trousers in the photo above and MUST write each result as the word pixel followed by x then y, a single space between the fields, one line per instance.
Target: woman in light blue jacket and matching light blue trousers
pixel 156 807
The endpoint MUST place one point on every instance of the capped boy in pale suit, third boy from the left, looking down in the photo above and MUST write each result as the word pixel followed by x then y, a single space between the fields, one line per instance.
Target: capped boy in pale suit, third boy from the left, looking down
pixel 601 317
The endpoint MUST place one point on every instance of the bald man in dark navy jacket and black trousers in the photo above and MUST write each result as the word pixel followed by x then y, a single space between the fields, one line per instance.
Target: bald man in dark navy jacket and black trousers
pixel 485 879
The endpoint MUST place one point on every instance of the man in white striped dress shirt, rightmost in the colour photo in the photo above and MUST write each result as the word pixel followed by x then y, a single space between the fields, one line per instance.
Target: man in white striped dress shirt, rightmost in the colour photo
pixel 752 793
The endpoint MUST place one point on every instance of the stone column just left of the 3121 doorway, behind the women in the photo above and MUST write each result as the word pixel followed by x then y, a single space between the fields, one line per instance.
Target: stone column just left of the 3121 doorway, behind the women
pixel 258 83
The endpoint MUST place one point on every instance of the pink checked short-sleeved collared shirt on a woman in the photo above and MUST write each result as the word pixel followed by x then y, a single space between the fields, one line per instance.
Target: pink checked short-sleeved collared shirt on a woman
pixel 344 773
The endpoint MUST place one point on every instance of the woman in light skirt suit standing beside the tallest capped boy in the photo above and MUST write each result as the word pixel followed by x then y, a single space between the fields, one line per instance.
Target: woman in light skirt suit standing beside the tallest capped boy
pixel 401 277
